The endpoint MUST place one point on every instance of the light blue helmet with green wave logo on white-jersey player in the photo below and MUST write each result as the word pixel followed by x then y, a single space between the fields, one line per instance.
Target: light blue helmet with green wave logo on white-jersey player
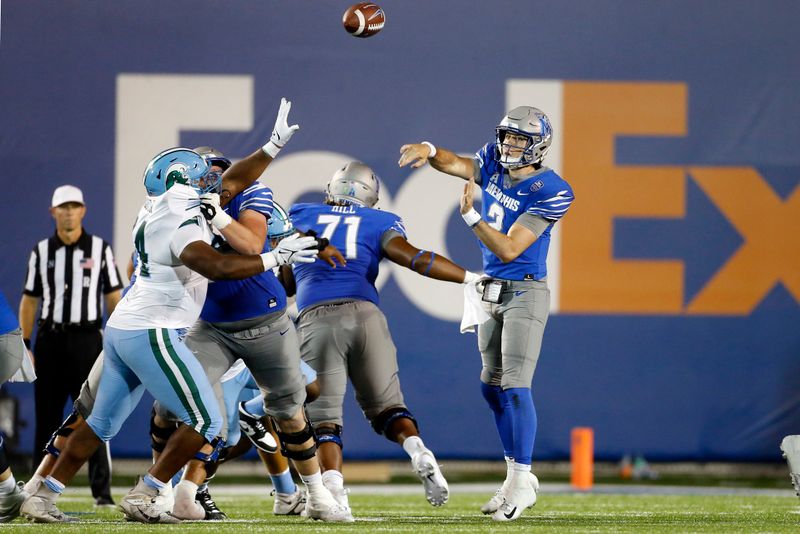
pixel 176 166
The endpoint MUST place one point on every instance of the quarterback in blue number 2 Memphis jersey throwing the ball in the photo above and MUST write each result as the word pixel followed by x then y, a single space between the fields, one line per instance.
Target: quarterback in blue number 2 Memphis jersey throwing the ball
pixel 522 200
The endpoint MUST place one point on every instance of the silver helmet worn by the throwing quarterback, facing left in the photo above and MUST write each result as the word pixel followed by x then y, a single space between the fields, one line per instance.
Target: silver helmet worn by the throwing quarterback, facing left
pixel 528 122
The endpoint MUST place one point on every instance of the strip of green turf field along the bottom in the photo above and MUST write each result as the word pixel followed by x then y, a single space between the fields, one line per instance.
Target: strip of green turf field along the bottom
pixel 410 513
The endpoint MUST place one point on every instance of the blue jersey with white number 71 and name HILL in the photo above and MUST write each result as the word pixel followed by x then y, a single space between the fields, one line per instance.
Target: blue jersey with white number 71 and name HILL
pixel 357 232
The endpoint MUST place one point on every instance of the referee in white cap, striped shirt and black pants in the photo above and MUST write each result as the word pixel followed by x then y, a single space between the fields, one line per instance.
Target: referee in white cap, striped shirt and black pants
pixel 68 272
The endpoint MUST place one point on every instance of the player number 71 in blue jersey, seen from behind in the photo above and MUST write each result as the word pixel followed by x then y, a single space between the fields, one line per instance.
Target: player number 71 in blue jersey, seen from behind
pixel 344 333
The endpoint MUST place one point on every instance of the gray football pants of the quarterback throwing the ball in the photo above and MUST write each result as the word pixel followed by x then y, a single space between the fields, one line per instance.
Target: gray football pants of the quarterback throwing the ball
pixel 511 339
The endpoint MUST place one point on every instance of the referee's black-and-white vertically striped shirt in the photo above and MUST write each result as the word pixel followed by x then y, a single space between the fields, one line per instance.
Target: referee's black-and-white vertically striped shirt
pixel 71 279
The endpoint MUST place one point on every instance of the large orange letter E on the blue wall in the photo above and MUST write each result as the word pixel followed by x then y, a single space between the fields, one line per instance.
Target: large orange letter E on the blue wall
pixel 594 114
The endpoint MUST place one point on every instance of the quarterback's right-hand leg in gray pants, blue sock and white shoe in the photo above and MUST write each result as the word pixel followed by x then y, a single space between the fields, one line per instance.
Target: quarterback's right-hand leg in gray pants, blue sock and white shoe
pixel 524 319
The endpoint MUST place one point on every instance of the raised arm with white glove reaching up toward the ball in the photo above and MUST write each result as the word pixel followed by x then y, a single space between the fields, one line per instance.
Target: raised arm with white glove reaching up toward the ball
pixel 246 171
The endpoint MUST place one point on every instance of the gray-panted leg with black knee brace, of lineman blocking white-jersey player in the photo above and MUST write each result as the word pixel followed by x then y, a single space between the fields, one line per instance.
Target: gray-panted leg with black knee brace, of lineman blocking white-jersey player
pixel 275 364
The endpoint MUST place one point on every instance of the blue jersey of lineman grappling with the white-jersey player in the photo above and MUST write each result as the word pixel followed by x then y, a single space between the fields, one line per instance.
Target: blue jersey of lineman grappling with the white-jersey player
pixel 236 300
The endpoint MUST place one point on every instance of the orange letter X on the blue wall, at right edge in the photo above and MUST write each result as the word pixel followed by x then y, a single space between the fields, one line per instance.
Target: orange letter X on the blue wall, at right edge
pixel 771 249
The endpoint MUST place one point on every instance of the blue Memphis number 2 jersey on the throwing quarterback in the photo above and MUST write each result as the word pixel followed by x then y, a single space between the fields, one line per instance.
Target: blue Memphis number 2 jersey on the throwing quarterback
pixel 545 195
